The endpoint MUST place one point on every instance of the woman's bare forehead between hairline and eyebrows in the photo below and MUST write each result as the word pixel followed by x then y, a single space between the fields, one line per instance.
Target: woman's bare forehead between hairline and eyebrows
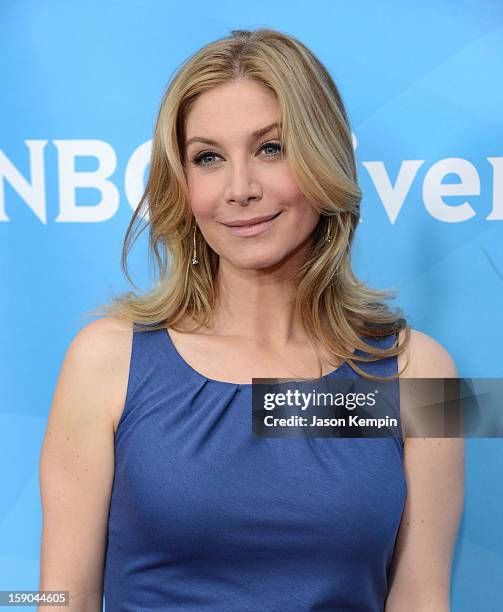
pixel 240 106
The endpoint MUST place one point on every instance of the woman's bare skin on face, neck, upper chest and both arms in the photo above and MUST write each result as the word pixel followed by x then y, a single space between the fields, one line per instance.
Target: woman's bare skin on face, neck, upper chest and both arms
pixel 254 331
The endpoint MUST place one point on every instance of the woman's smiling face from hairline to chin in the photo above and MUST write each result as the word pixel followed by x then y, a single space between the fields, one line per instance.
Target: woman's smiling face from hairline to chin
pixel 236 171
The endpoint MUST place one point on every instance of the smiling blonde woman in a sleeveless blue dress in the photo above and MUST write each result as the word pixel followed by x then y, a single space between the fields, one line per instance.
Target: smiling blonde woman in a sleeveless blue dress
pixel 153 485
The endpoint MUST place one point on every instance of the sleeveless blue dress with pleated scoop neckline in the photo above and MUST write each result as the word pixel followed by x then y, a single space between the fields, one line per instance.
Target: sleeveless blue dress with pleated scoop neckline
pixel 206 516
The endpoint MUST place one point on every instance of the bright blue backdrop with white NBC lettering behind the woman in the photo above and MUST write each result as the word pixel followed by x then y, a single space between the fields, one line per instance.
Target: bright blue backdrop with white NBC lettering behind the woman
pixel 81 85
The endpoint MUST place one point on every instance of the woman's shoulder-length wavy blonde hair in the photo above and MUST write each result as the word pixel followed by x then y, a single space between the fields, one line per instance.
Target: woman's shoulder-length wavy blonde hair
pixel 334 307
